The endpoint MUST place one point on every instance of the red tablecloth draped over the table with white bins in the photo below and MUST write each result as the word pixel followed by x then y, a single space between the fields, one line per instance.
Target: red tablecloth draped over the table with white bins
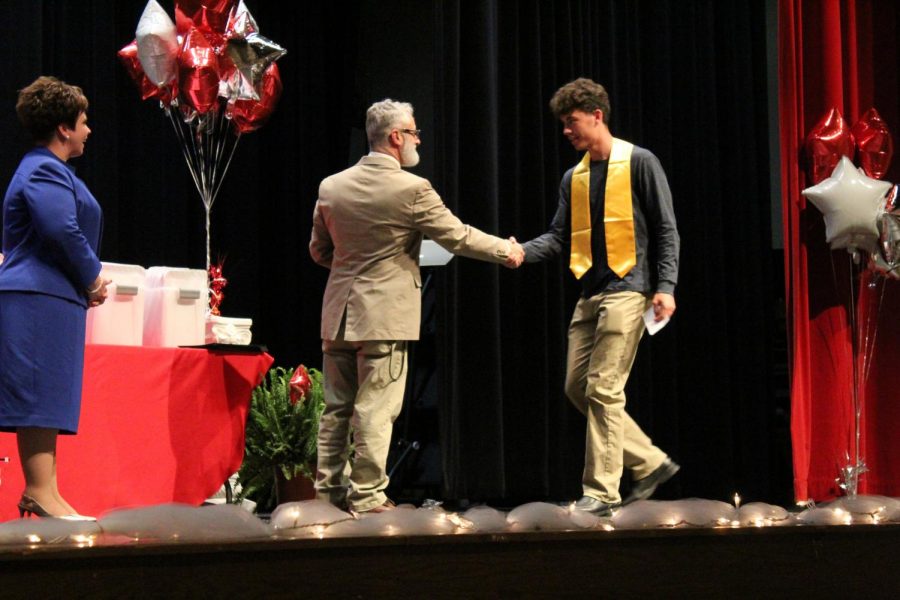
pixel 157 425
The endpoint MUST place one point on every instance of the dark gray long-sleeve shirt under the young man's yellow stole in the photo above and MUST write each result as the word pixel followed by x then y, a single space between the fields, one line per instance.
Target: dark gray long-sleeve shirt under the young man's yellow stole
pixel 656 236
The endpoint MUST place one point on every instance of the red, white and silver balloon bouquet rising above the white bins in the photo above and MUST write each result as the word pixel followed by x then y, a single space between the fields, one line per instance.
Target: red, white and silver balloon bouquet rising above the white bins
pixel 215 78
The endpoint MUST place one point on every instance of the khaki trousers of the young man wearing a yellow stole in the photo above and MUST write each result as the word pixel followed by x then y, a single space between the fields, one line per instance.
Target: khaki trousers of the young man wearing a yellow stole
pixel 603 341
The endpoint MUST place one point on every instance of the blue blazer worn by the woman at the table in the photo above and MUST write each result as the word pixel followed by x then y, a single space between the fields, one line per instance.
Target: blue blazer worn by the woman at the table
pixel 51 230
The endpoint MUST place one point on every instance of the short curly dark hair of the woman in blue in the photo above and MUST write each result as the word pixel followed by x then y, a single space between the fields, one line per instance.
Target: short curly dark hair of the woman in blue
pixel 48 102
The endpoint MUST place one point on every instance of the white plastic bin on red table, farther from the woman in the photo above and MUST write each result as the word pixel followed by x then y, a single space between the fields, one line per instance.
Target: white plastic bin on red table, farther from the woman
pixel 175 307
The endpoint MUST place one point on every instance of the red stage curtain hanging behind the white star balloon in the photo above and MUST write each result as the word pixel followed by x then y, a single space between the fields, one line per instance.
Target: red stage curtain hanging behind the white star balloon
pixel 841 54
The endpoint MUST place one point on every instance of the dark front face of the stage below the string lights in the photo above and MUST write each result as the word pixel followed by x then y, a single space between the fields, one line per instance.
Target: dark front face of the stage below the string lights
pixel 797 562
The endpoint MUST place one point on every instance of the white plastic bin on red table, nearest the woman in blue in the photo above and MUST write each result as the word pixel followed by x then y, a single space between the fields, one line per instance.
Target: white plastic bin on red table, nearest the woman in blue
pixel 119 320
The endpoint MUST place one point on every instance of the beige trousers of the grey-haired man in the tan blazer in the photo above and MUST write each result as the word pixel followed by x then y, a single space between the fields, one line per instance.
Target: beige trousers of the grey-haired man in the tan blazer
pixel 364 384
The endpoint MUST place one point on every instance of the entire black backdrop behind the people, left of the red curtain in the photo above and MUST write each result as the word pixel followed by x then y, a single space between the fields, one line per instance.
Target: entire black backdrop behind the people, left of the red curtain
pixel 687 79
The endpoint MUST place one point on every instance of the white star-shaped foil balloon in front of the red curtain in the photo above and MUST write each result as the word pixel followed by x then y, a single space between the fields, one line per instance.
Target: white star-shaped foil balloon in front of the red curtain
pixel 852 204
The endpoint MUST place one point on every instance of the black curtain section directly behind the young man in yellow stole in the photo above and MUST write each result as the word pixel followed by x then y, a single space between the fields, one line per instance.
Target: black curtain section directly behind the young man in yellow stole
pixel 688 81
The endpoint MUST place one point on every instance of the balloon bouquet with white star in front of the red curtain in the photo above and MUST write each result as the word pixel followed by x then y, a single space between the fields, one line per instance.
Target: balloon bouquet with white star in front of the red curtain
pixel 862 215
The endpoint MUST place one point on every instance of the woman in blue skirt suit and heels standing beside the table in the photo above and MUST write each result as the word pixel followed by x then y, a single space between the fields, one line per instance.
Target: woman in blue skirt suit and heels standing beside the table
pixel 49 276
